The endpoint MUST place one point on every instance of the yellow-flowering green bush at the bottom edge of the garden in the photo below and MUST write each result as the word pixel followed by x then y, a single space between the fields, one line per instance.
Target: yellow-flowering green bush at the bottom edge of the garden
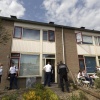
pixel 40 93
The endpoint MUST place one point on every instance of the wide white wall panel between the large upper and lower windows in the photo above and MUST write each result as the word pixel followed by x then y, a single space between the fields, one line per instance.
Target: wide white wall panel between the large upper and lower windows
pixel 25 46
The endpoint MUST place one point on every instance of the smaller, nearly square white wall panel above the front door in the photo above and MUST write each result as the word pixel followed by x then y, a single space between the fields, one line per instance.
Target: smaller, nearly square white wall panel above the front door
pixel 49 47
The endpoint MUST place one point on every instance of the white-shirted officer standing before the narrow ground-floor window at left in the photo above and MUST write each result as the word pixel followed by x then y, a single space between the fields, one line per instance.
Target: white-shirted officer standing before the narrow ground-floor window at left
pixel 13 71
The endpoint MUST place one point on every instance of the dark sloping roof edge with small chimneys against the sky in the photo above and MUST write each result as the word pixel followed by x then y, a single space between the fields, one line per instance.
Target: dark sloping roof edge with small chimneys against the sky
pixel 14 19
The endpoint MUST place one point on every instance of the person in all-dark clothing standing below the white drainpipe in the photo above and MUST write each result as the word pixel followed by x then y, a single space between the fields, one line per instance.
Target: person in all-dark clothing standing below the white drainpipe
pixel 62 71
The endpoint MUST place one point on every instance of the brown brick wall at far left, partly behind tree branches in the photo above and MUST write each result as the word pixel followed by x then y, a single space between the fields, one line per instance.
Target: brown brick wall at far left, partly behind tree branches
pixel 5 51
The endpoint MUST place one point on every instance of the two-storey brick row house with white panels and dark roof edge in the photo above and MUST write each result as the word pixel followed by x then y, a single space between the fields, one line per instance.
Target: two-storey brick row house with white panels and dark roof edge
pixel 33 44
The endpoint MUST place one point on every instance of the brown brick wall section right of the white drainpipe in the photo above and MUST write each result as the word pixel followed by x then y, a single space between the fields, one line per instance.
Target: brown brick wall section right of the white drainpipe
pixel 71 51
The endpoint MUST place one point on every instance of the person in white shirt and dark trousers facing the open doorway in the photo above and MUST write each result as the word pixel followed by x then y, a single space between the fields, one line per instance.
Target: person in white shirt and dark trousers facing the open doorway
pixel 47 69
